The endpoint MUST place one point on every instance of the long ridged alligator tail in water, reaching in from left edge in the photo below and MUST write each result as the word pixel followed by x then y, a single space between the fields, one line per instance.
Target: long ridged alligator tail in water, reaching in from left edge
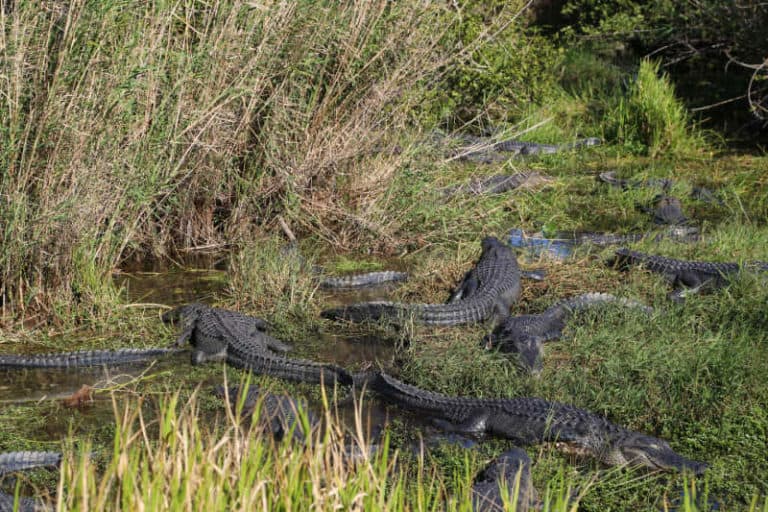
pixel 84 358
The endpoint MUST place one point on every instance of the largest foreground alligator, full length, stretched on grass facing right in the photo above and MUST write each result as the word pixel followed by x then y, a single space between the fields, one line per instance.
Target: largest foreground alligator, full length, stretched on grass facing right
pixel 529 420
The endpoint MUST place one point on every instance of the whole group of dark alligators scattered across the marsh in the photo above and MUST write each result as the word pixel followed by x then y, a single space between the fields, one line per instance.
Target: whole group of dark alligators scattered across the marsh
pixel 487 292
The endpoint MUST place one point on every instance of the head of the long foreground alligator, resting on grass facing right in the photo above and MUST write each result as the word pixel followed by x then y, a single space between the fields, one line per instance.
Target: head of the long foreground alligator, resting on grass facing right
pixel 648 451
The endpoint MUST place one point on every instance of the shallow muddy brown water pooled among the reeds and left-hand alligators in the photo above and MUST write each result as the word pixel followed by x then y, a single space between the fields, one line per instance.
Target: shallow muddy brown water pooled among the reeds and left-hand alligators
pixel 43 390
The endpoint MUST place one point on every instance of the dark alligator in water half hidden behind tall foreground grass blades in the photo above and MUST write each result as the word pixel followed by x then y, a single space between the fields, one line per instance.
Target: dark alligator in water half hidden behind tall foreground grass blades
pixel 278 413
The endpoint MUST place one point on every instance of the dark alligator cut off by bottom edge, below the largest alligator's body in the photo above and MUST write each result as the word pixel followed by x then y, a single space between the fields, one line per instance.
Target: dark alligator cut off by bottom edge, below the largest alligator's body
pixel 502 473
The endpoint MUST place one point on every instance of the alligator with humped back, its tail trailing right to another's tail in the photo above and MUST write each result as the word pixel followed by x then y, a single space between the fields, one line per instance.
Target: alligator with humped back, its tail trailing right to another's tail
pixel 222 335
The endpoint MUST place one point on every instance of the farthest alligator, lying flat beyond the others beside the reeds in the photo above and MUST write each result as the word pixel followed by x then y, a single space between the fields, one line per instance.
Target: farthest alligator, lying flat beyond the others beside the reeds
pixel 483 150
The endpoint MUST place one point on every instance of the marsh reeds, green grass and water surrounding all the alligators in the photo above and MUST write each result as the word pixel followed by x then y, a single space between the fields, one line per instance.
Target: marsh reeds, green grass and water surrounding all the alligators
pixel 157 153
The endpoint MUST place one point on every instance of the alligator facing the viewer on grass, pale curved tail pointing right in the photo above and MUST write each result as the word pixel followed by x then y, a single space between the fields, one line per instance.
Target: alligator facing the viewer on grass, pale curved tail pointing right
pixel 524 335
